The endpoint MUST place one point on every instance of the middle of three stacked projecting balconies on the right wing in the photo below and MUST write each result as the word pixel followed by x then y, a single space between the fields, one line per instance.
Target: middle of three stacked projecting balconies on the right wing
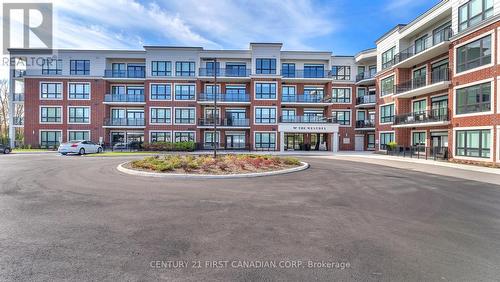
pixel 439 80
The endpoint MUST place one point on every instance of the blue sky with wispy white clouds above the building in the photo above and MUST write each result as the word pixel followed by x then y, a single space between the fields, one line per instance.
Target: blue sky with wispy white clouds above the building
pixel 342 26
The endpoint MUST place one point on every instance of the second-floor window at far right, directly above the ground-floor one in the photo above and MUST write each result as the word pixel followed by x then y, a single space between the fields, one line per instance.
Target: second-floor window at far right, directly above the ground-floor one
pixel 474 99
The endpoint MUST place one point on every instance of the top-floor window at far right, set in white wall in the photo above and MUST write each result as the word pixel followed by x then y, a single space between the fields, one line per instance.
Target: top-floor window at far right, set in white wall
pixel 474 12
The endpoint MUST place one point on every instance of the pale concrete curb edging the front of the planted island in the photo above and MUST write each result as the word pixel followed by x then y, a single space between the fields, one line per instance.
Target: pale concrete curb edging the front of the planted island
pixel 123 169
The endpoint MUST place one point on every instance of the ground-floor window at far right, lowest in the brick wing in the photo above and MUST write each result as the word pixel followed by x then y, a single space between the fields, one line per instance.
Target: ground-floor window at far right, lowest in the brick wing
pixel 473 143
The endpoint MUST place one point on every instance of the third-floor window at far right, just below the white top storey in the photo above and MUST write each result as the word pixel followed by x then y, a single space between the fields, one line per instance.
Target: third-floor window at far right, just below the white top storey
pixel 474 54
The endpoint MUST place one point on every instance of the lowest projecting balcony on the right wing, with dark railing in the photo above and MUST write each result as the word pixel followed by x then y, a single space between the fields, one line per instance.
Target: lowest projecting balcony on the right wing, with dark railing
pixel 434 117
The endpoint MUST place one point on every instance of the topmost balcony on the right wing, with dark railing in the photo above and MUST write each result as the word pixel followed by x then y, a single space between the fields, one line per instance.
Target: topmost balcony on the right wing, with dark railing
pixel 431 47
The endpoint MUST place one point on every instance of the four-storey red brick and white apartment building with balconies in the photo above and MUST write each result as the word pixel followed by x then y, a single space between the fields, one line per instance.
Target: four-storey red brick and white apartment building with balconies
pixel 430 86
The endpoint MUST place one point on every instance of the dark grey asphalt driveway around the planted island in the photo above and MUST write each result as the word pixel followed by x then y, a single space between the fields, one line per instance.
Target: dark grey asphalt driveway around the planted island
pixel 78 218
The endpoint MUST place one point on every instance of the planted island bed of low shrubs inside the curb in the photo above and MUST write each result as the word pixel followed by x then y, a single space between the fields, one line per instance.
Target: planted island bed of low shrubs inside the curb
pixel 222 165
